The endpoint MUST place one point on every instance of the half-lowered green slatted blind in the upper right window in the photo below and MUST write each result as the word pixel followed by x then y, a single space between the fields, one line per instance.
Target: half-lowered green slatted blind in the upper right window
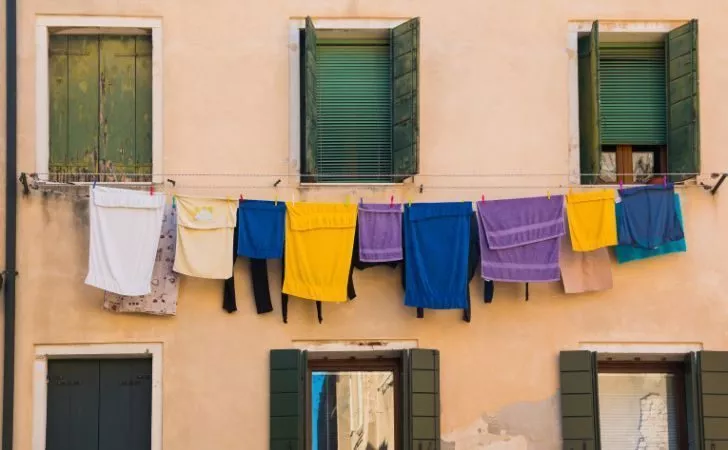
pixel 632 93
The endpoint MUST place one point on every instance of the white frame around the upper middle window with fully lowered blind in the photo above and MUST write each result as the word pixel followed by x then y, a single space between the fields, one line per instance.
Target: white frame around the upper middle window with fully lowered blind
pixel 294 80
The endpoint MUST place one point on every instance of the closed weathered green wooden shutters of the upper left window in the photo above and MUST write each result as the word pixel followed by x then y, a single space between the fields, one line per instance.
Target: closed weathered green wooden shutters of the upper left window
pixel 100 105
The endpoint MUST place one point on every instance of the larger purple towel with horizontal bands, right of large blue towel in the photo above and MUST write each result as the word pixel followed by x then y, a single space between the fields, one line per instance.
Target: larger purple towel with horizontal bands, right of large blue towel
pixel 519 238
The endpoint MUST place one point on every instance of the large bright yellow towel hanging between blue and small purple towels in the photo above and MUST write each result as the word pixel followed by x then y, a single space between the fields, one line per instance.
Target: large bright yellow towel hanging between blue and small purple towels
pixel 319 243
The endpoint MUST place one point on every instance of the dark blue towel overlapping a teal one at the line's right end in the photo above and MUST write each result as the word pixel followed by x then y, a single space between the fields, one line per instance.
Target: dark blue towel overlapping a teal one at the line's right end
pixel 648 218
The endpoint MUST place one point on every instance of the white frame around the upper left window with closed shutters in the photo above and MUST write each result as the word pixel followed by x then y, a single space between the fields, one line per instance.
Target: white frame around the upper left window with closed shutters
pixel 42 94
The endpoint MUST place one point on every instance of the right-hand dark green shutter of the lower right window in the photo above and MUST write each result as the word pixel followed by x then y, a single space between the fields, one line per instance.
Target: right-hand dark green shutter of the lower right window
pixel 712 384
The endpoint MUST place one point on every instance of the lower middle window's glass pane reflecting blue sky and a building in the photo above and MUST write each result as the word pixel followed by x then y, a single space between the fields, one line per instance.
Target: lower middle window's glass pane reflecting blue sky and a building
pixel 352 411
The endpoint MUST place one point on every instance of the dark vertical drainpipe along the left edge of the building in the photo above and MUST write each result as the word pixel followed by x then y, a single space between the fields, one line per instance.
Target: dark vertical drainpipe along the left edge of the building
pixel 11 206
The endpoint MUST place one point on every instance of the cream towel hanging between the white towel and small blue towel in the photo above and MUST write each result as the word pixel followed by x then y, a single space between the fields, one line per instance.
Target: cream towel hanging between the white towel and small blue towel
pixel 205 231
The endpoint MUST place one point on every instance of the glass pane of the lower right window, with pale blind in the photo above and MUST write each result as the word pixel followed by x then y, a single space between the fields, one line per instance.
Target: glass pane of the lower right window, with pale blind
pixel 638 411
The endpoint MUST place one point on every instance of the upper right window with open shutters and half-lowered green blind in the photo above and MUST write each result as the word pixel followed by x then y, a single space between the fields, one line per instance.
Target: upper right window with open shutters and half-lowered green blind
pixel 638 105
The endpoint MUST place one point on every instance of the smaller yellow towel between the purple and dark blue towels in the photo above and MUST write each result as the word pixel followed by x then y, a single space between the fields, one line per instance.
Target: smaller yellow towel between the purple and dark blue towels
pixel 592 220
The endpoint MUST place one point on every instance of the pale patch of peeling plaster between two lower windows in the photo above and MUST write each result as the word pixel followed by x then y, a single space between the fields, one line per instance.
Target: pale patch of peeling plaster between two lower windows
pixel 520 426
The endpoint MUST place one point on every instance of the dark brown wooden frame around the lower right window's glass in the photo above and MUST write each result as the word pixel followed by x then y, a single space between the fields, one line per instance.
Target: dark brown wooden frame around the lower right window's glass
pixel 675 368
